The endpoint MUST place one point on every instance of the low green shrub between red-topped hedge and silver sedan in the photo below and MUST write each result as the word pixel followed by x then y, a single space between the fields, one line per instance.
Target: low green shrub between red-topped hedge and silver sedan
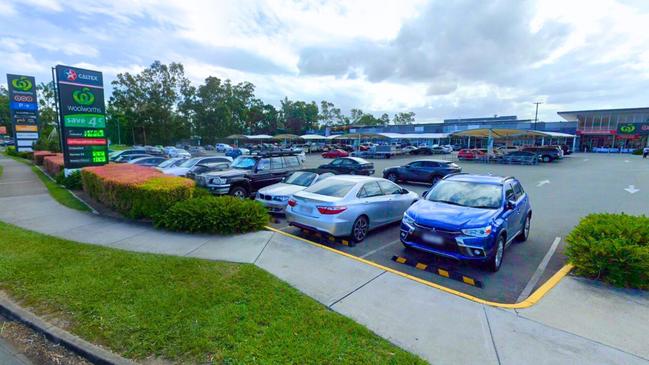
pixel 210 214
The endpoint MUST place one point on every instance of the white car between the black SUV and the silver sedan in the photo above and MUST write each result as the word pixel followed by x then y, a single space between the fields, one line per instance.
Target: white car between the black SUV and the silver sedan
pixel 275 197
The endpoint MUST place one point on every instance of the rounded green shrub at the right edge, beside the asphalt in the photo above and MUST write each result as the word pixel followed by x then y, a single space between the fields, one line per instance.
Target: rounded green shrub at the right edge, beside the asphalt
pixel 613 248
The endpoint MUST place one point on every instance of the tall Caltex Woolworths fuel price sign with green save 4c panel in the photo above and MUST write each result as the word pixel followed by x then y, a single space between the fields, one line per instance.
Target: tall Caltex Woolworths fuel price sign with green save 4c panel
pixel 83 117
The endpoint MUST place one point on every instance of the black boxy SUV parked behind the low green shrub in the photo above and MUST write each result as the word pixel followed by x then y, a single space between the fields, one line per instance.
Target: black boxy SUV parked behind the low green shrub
pixel 247 174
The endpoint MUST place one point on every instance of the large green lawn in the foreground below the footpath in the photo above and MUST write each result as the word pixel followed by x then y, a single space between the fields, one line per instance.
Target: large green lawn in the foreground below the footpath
pixel 181 309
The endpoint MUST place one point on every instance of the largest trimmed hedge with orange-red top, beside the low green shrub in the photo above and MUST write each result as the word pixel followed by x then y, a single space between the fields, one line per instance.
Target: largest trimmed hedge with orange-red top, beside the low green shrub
pixel 135 191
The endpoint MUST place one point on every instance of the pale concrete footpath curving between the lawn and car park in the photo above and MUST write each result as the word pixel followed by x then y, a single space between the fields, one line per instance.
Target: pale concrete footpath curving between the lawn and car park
pixel 578 322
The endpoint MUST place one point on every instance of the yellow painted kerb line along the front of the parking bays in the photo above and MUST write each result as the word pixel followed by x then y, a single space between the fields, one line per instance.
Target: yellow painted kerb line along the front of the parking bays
pixel 527 303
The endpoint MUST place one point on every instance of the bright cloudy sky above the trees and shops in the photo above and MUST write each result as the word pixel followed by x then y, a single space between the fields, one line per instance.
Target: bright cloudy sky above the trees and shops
pixel 440 59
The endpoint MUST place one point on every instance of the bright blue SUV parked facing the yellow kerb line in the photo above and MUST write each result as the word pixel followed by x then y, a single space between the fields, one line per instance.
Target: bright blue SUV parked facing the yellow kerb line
pixel 470 218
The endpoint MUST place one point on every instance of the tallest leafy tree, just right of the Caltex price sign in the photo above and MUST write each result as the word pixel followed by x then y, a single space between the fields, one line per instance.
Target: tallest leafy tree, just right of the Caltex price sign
pixel 148 104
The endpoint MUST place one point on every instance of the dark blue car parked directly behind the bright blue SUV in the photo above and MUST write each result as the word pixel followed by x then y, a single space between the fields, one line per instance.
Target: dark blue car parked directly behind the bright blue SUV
pixel 428 171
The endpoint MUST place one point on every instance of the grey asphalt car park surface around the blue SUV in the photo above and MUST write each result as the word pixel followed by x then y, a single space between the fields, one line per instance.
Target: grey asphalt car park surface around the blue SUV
pixel 561 193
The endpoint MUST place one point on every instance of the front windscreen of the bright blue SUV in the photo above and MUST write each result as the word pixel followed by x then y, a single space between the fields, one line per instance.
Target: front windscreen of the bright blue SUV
pixel 467 194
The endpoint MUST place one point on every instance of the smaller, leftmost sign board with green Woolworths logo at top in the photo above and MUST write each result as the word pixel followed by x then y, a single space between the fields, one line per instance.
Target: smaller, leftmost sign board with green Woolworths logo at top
pixel 23 108
